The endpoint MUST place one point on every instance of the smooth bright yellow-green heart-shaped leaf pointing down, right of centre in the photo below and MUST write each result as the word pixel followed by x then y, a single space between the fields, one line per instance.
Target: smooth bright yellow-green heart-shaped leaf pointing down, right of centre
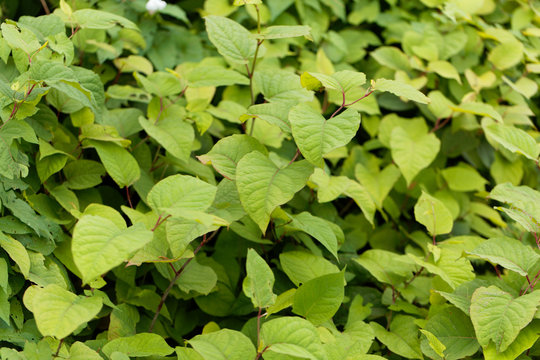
pixel 413 153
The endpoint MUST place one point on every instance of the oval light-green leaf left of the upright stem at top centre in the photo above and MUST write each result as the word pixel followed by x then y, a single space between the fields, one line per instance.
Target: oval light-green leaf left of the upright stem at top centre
pixel 231 39
